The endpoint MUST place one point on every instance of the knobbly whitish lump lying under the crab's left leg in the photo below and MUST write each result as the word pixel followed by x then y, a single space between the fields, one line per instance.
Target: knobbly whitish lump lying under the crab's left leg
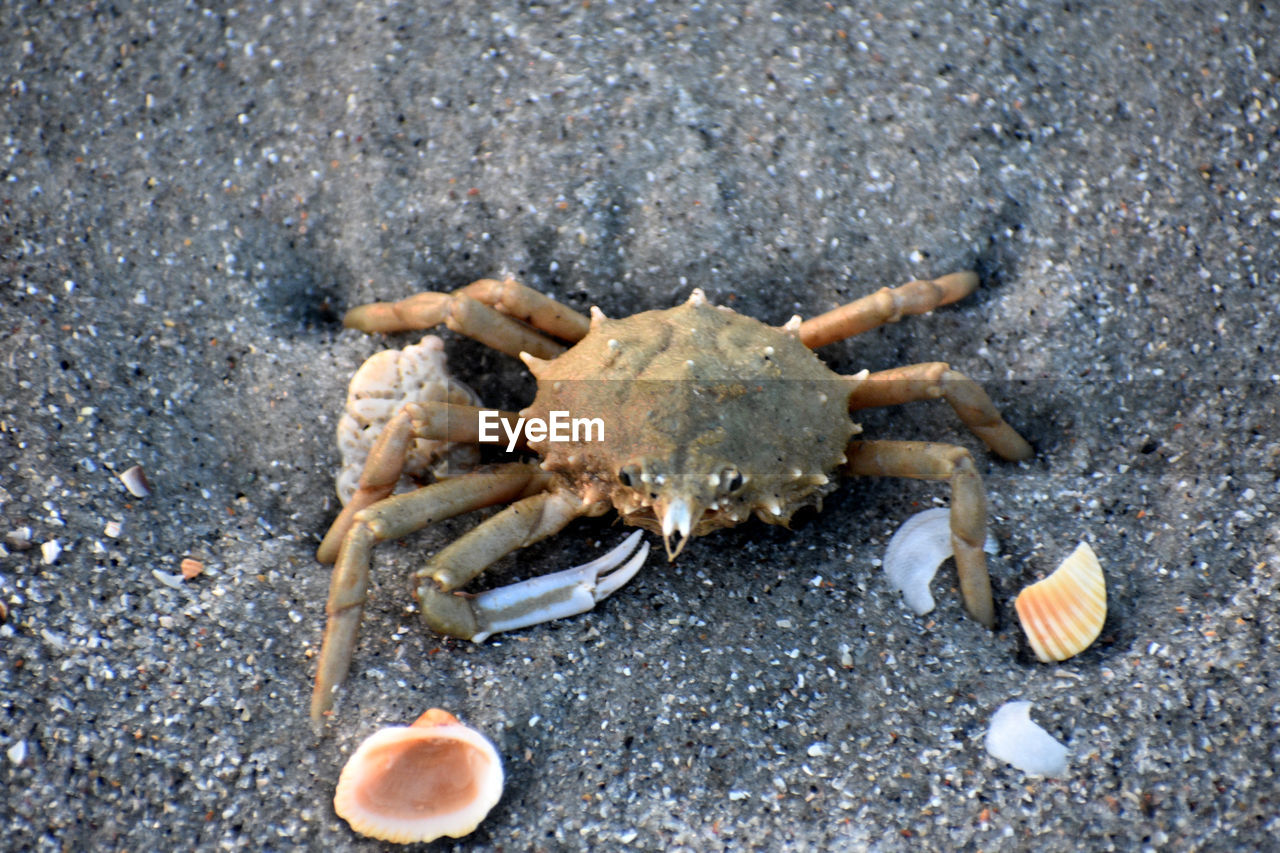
pixel 381 389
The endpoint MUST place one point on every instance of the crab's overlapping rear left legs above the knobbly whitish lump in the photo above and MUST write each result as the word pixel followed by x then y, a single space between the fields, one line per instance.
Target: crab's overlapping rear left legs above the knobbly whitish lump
pixel 505 316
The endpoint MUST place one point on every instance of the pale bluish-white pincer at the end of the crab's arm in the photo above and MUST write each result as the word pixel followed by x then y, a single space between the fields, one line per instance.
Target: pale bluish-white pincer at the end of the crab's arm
pixel 565 594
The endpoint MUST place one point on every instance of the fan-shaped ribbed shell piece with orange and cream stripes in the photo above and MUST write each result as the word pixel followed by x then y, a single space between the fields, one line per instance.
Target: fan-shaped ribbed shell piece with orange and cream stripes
pixel 1064 614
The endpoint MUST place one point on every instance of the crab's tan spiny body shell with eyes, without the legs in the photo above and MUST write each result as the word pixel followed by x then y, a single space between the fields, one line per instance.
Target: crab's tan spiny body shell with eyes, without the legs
pixel 764 426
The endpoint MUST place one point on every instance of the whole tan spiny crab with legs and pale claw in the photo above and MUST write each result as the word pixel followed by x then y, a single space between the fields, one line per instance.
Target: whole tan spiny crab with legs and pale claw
pixel 708 418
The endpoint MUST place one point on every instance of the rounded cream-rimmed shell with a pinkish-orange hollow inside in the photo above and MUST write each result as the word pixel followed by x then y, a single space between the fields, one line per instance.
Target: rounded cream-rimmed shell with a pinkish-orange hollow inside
pixel 418 783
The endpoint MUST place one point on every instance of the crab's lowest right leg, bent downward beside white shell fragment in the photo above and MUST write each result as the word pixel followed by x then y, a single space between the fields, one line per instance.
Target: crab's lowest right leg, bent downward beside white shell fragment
pixel 934 462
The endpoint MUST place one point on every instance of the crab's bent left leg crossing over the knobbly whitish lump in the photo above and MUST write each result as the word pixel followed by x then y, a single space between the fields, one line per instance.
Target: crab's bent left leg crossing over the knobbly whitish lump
pixel 433 422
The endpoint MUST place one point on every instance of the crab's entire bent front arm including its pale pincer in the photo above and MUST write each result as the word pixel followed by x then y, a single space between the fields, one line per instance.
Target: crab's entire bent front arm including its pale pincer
pixel 540 600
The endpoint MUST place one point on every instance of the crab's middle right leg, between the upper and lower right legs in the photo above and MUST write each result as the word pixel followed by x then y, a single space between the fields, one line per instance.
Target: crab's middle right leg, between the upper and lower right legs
pixel 935 380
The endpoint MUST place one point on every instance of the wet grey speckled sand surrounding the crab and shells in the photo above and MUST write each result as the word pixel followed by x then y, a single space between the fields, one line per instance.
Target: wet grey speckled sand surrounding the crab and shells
pixel 193 195
